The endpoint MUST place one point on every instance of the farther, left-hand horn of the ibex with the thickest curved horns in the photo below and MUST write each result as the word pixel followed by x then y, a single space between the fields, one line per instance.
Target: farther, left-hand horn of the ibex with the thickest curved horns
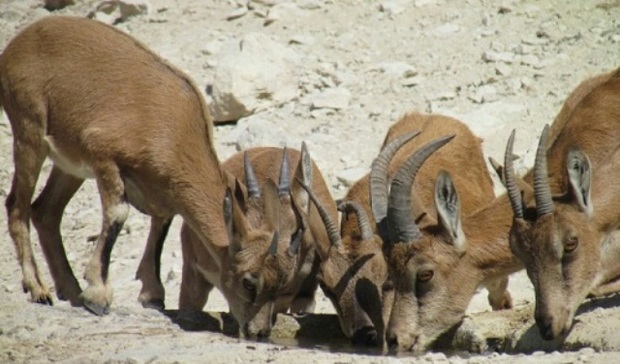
pixel 379 179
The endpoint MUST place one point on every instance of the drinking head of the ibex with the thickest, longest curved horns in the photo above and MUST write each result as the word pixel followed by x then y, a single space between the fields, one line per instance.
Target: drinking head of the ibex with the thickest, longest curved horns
pixel 417 318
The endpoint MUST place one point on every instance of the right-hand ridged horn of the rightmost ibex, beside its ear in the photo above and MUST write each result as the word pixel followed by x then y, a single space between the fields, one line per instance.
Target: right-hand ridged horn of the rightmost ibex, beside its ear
pixel 542 191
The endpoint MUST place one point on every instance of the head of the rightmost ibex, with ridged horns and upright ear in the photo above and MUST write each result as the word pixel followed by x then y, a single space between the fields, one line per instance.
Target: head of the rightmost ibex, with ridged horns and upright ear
pixel 555 240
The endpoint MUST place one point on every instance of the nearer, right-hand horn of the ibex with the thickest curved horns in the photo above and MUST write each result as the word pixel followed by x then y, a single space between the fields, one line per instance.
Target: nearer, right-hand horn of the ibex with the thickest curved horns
pixel 401 225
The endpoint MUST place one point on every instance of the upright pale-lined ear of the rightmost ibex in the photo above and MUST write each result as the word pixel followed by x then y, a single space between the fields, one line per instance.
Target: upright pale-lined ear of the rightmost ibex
pixel 580 176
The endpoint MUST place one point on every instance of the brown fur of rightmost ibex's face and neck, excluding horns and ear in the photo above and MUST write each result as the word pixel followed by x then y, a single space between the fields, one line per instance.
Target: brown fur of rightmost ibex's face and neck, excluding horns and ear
pixel 562 279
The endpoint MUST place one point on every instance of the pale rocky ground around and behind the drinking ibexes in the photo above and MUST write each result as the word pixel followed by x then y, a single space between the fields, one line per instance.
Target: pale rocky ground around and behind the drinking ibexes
pixel 336 74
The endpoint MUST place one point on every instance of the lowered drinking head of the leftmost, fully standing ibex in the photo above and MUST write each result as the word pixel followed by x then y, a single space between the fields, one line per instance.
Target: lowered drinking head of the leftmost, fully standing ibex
pixel 263 253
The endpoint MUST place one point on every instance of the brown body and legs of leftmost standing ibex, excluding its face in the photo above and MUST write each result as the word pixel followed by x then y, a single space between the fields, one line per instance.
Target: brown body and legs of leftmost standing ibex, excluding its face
pixel 101 105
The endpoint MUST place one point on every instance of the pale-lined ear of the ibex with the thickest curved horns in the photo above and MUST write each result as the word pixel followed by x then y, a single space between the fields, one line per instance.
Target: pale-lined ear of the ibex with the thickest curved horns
pixel 449 209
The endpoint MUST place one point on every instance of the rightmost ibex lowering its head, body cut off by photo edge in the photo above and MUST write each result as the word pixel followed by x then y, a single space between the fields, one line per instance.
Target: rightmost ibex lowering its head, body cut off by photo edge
pixel 565 241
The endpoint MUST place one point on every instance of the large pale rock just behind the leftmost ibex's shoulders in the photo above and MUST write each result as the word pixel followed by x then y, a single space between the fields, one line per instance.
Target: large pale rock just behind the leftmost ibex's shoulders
pixel 253 74
